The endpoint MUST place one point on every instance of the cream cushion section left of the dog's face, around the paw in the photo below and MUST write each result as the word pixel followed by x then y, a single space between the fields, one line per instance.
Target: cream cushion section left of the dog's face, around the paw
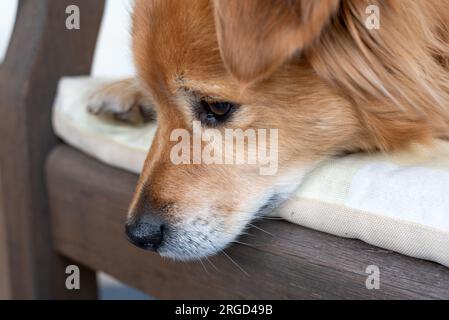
pixel 116 144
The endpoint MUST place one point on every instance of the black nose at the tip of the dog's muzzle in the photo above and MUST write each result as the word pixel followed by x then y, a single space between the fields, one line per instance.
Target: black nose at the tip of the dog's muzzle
pixel 146 231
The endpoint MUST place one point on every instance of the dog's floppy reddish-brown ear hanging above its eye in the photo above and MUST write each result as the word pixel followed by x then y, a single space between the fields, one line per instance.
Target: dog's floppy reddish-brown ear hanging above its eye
pixel 257 36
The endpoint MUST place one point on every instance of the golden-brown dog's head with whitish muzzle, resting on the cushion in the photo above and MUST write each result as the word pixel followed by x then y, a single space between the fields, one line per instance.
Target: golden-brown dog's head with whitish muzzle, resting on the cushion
pixel 238 67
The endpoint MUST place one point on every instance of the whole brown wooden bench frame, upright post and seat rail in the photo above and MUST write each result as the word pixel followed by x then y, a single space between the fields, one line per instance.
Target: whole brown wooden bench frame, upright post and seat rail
pixel 60 207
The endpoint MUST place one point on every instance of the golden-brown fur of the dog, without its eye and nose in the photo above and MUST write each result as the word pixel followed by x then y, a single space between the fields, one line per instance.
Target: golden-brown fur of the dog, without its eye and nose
pixel 307 67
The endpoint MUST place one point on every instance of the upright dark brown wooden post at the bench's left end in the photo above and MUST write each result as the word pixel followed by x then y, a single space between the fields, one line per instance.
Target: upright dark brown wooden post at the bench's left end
pixel 42 50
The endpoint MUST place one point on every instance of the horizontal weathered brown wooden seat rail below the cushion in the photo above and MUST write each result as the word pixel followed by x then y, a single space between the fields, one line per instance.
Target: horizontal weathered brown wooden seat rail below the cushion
pixel 89 202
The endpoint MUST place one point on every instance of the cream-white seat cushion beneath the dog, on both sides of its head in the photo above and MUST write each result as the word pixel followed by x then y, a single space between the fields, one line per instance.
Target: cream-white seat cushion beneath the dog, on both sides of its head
pixel 399 201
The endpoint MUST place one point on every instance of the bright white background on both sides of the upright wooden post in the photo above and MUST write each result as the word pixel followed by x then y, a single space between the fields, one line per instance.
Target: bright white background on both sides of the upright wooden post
pixel 113 55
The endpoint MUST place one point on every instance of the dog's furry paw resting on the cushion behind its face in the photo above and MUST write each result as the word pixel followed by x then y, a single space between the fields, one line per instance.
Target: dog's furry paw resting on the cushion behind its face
pixel 124 101
